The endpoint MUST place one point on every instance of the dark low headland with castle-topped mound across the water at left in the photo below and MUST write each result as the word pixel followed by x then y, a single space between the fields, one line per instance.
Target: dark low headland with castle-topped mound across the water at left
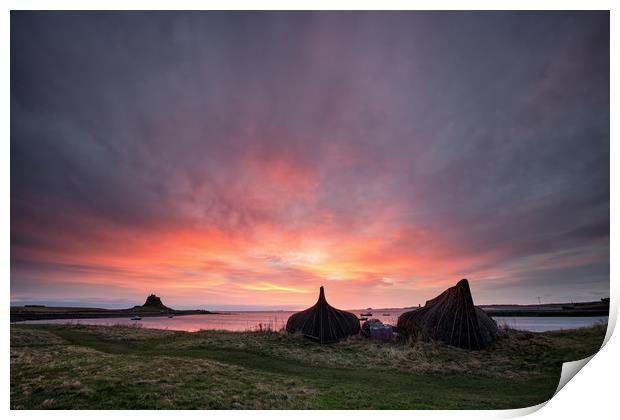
pixel 152 307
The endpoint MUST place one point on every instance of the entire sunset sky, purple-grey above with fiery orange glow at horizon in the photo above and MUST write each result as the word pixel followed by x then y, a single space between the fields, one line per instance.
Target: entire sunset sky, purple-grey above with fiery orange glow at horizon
pixel 229 160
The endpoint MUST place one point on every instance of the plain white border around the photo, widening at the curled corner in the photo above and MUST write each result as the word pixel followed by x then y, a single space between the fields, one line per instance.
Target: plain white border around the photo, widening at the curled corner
pixel 592 395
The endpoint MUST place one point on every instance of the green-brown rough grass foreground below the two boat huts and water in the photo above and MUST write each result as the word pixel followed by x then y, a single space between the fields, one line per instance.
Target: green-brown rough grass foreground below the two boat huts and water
pixel 98 367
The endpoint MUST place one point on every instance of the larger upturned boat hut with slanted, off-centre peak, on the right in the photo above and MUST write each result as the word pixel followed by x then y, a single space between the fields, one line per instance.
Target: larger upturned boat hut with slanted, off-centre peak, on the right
pixel 451 318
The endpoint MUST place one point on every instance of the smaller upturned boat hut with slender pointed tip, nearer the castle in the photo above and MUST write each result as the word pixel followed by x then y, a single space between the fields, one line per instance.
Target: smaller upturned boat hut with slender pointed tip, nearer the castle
pixel 324 323
